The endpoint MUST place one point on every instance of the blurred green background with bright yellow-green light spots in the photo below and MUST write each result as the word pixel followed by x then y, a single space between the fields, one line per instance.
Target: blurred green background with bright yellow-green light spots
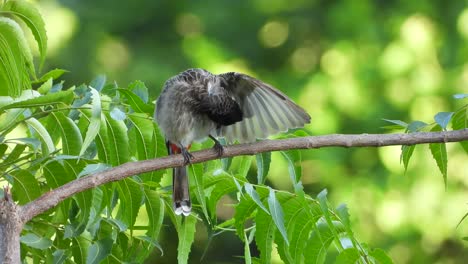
pixel 348 63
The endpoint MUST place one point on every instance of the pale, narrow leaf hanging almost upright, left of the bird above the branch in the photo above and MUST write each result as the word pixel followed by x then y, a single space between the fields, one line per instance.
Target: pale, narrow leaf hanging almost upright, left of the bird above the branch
pixel 95 122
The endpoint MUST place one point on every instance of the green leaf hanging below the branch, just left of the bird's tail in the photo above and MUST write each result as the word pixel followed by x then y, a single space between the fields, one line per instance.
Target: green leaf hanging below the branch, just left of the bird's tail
pixel 155 209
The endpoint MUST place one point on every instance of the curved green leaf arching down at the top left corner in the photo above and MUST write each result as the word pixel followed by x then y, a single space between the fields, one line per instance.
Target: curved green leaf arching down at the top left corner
pixel 33 19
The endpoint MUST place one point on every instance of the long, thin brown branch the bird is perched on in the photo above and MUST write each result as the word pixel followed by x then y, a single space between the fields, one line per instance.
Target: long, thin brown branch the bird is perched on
pixel 52 198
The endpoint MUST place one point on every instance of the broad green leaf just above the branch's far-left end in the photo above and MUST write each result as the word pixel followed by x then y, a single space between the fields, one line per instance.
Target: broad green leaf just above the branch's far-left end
pixel 25 186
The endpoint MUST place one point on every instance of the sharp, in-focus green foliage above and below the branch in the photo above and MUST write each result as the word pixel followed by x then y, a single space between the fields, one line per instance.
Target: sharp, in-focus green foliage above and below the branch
pixel 51 135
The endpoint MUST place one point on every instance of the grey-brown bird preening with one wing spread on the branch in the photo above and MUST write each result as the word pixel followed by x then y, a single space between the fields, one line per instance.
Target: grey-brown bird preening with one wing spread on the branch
pixel 197 104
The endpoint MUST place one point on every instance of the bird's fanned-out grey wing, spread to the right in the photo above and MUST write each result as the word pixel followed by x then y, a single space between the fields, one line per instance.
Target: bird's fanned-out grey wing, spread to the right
pixel 266 110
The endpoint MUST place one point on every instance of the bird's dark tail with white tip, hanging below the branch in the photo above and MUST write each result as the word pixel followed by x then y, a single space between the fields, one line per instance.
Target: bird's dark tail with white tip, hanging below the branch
pixel 180 191
